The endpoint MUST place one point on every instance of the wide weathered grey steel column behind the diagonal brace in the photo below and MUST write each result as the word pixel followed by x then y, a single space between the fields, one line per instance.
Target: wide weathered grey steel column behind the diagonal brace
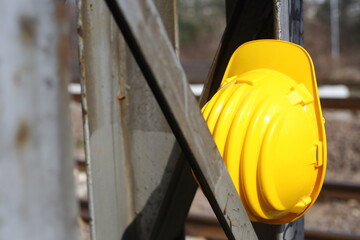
pixel 134 162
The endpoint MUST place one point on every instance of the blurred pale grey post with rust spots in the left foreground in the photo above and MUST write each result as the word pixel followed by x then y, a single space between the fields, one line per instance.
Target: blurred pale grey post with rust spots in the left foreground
pixel 37 196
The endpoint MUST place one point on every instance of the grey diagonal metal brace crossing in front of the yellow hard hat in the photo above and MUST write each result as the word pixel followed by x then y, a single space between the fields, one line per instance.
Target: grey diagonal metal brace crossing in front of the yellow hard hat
pixel 144 32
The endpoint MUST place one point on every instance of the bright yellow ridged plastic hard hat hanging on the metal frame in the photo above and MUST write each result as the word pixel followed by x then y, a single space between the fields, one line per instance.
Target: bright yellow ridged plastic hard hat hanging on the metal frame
pixel 267 123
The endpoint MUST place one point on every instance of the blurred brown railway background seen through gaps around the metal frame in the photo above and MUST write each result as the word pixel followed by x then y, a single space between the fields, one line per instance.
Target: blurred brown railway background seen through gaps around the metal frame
pixel 332 37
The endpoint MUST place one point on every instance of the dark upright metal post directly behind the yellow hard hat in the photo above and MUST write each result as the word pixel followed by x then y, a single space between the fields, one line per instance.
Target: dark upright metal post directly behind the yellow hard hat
pixel 281 19
